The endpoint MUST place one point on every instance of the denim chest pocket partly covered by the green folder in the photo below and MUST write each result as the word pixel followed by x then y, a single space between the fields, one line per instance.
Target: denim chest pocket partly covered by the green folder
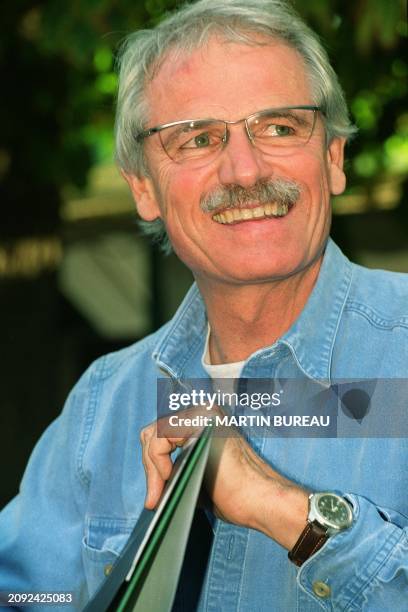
pixel 102 544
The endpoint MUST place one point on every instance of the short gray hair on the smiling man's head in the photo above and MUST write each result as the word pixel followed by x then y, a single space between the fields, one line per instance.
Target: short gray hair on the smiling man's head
pixel 191 27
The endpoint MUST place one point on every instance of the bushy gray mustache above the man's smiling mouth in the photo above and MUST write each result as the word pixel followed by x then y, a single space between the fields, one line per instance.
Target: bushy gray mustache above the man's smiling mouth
pixel 283 191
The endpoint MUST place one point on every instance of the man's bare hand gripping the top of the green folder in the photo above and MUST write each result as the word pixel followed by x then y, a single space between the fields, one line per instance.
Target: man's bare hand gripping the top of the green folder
pixel 243 489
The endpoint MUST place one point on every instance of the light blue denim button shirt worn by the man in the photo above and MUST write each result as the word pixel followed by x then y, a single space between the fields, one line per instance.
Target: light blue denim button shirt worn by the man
pixel 84 486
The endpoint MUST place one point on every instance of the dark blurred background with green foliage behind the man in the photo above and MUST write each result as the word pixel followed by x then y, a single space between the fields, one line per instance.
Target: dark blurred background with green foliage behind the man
pixel 76 278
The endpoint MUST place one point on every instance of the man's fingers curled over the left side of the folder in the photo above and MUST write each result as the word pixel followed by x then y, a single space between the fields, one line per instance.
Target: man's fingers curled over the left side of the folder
pixel 157 462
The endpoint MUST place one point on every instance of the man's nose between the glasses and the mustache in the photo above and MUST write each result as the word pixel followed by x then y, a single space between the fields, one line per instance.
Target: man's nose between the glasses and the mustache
pixel 240 162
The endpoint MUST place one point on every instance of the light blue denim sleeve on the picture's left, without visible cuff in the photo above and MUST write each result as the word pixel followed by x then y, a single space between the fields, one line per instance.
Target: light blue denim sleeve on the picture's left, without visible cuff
pixel 41 529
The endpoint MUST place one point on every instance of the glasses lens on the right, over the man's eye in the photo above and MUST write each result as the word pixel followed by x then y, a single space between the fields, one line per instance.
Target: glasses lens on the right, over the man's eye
pixel 281 129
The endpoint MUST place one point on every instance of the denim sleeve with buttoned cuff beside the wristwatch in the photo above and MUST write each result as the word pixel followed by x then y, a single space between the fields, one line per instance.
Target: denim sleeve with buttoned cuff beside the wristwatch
pixel 364 568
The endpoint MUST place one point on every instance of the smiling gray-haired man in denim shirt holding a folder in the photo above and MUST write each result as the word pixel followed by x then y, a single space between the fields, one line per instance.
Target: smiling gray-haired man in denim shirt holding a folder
pixel 231 129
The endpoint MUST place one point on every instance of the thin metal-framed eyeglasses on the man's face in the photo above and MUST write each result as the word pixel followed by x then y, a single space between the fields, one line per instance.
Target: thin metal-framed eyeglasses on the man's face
pixel 274 131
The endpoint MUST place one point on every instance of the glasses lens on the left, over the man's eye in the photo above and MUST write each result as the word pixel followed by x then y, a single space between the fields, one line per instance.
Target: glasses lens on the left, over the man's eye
pixel 193 140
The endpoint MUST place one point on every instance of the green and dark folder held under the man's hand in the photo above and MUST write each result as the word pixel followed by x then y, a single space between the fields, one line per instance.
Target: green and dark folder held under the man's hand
pixel 145 577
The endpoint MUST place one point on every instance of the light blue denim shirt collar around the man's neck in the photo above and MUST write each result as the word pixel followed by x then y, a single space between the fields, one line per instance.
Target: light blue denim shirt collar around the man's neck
pixel 310 339
